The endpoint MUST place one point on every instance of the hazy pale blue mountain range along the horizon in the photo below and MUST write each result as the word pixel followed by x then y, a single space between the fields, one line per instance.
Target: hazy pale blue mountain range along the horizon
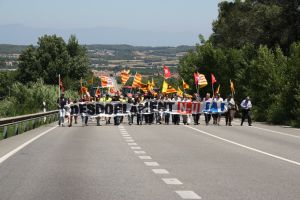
pixel 24 35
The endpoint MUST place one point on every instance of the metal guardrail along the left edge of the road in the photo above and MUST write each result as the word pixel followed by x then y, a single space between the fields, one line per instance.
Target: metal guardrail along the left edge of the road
pixel 16 125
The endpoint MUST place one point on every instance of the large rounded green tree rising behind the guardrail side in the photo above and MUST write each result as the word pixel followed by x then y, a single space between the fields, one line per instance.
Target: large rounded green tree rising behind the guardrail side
pixel 52 57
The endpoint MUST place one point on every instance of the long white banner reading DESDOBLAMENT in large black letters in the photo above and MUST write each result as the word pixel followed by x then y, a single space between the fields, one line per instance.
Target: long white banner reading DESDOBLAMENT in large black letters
pixel 148 107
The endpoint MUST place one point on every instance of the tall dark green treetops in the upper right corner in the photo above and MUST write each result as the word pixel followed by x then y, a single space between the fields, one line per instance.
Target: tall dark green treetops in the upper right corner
pixel 259 22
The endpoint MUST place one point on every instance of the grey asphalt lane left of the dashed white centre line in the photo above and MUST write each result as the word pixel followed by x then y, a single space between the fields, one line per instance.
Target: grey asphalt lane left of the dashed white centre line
pixel 79 163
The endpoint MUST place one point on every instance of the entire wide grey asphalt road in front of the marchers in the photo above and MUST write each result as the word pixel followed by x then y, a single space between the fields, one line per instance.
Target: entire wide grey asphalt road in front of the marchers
pixel 161 162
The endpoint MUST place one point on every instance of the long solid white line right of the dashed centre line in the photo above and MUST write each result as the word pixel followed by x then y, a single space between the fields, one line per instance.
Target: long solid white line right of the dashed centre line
pixel 246 147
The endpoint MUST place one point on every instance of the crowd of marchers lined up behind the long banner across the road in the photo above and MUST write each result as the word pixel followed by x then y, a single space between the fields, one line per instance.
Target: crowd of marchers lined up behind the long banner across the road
pixel 159 116
